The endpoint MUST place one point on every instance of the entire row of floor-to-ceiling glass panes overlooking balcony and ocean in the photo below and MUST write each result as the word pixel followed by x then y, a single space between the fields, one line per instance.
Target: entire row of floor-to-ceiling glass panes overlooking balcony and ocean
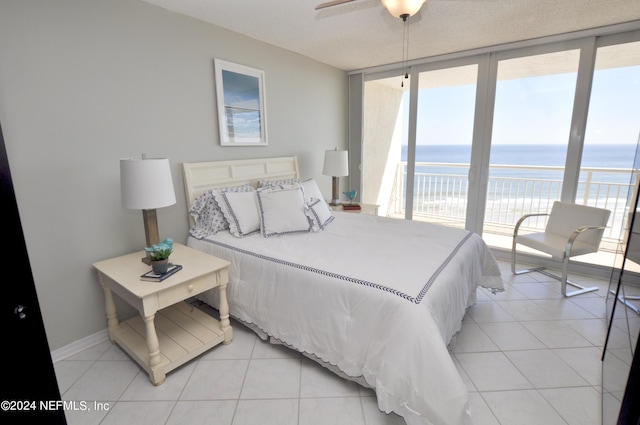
pixel 479 141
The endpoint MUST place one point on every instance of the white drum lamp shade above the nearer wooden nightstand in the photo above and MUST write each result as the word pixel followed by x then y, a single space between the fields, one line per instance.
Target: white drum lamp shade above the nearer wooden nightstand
pixel 146 184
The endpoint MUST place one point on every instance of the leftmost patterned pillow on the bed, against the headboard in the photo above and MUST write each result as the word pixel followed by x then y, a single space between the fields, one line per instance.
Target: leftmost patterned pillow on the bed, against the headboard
pixel 207 214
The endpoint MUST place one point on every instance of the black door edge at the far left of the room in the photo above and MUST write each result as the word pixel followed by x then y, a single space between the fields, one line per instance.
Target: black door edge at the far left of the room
pixel 30 391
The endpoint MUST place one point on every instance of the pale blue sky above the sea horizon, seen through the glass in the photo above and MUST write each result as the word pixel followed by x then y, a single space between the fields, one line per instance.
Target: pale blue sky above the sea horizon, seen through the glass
pixel 536 110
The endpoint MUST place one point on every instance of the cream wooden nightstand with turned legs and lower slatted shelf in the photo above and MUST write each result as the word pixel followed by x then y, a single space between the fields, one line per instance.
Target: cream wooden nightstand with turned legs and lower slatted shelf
pixel 168 332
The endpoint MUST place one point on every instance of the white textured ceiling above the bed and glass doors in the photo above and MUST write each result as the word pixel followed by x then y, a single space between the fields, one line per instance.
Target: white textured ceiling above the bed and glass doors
pixel 362 34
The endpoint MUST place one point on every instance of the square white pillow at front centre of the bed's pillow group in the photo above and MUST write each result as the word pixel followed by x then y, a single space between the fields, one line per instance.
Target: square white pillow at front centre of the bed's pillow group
pixel 282 211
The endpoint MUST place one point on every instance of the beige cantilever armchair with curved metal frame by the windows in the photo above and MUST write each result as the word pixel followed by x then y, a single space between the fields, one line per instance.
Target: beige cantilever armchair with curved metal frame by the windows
pixel 571 230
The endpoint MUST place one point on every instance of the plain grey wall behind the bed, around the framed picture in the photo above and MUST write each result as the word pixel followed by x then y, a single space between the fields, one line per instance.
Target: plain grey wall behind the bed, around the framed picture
pixel 84 83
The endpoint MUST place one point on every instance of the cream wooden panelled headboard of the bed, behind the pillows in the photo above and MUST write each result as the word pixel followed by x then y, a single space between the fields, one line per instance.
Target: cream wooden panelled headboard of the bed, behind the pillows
pixel 202 176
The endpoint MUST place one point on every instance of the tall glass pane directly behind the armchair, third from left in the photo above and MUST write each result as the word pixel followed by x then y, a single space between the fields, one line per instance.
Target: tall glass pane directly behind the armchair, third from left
pixel 530 134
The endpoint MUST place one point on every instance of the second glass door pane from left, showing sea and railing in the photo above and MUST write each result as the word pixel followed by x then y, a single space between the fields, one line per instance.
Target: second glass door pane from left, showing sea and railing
pixel 444 135
